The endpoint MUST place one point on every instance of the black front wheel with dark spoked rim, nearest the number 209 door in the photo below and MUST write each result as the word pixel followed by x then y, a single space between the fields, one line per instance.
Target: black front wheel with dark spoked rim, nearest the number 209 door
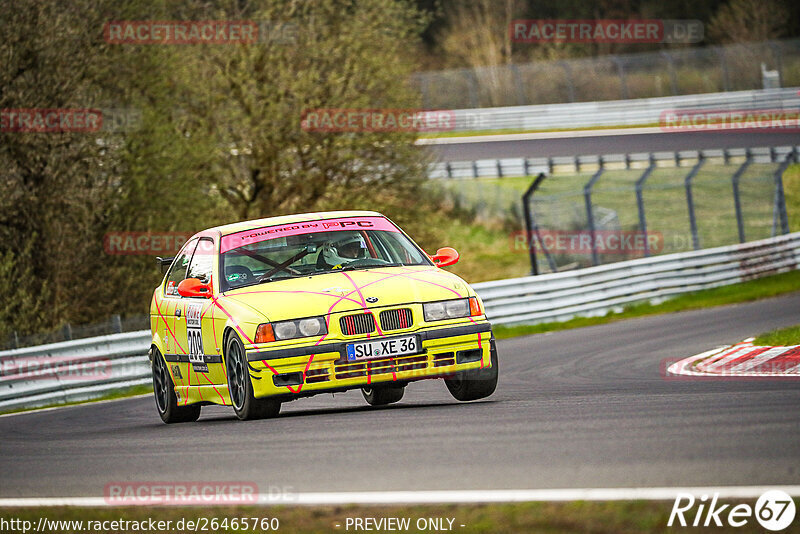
pixel 240 387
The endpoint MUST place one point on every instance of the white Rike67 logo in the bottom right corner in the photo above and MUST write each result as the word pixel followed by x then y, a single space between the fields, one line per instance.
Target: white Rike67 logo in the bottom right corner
pixel 774 511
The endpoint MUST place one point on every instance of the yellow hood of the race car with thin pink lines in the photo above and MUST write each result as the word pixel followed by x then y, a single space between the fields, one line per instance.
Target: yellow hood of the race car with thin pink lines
pixel 350 290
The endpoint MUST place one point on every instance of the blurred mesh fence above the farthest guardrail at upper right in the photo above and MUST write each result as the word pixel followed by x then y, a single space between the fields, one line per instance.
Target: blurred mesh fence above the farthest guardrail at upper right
pixel 680 71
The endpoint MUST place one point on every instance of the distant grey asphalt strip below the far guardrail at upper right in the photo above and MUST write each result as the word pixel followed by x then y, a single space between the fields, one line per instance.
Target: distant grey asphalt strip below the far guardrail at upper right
pixel 611 144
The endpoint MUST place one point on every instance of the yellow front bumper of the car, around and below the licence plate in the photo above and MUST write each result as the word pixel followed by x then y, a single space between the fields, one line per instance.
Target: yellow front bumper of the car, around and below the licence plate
pixel 307 370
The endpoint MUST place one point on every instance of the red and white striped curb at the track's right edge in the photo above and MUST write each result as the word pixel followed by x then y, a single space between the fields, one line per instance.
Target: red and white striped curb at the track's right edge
pixel 742 360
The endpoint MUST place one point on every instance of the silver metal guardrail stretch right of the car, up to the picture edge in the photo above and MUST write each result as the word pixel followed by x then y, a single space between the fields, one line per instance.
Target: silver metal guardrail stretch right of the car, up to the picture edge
pixel 596 290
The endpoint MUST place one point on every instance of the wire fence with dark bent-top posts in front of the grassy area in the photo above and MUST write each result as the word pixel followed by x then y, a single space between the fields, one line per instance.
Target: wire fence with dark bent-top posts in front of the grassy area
pixel 659 203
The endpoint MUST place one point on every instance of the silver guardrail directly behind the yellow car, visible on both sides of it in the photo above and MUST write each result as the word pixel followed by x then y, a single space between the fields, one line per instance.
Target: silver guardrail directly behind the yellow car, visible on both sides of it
pixel 79 370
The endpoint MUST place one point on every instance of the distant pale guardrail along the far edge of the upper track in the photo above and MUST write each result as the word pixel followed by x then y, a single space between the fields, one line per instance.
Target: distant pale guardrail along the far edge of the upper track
pixel 635 112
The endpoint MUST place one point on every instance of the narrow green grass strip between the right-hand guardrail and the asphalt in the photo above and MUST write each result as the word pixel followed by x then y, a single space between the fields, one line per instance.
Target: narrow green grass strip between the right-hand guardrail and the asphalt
pixel 762 288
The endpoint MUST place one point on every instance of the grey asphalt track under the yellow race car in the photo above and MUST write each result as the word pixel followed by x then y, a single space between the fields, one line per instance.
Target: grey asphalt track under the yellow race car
pixel 574 409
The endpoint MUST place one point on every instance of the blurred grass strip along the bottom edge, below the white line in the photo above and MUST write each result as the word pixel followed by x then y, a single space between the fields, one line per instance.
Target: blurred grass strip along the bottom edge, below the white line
pixel 557 517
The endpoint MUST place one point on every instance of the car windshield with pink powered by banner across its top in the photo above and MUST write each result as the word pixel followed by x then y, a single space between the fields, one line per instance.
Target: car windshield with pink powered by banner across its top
pixel 301 251
